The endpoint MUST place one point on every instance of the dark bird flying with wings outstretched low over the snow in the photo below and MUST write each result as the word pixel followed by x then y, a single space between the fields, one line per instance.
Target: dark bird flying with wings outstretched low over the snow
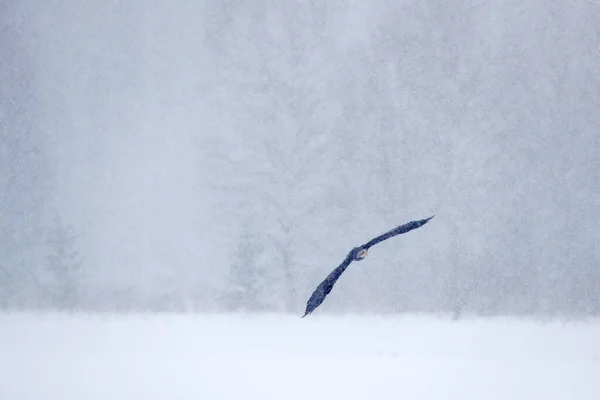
pixel 356 254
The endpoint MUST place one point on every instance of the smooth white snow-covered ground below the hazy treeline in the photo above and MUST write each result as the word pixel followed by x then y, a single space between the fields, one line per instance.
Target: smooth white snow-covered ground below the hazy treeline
pixel 55 356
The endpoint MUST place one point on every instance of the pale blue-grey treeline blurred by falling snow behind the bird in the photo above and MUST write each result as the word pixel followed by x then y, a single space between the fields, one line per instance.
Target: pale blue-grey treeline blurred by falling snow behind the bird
pixel 226 155
